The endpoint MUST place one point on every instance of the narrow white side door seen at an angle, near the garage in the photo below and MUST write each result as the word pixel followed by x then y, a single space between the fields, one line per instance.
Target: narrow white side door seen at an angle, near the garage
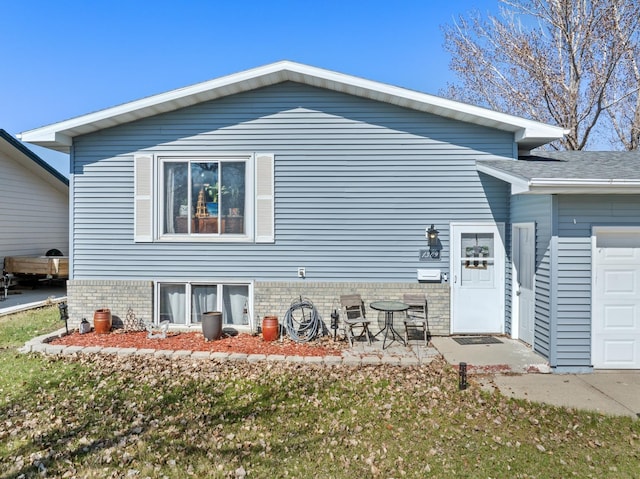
pixel 524 251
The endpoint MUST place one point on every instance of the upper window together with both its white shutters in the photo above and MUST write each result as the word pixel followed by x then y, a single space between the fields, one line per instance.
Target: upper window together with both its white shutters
pixel 197 197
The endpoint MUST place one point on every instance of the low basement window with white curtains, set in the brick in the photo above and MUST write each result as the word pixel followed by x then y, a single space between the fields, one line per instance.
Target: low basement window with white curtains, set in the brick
pixel 185 303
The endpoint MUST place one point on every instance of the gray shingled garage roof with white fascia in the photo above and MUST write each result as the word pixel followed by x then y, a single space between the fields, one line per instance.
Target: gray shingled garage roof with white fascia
pixel 569 172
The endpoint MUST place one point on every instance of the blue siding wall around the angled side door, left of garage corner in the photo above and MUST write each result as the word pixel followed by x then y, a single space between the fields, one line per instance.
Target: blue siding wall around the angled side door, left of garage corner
pixel 538 209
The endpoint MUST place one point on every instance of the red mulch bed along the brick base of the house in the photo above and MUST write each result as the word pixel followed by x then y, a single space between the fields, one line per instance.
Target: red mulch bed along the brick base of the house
pixel 194 341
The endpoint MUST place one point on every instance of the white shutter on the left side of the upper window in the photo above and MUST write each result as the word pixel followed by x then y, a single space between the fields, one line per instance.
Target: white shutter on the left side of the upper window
pixel 143 210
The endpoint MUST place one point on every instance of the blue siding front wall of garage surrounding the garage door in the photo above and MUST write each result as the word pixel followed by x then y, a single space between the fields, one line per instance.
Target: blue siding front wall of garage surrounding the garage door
pixel 576 216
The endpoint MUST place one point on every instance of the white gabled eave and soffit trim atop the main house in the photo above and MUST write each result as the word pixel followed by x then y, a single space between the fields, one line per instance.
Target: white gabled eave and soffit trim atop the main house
pixel 59 136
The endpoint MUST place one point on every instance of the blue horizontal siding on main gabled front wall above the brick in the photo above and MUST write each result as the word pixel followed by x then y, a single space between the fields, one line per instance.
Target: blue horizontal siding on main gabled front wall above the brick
pixel 356 184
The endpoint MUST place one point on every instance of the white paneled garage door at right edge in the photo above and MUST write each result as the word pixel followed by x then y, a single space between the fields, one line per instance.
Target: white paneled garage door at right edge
pixel 616 300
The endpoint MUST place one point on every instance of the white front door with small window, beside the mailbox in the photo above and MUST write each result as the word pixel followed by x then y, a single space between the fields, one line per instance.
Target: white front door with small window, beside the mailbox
pixel 477 290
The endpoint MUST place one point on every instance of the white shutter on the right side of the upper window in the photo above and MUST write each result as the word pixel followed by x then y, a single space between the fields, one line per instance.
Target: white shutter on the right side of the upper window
pixel 264 198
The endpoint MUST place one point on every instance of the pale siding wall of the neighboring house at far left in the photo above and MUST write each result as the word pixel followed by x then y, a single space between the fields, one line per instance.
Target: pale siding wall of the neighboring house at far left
pixel 34 216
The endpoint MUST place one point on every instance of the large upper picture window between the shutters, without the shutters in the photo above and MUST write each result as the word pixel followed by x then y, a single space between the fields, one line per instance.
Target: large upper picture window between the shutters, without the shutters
pixel 204 197
